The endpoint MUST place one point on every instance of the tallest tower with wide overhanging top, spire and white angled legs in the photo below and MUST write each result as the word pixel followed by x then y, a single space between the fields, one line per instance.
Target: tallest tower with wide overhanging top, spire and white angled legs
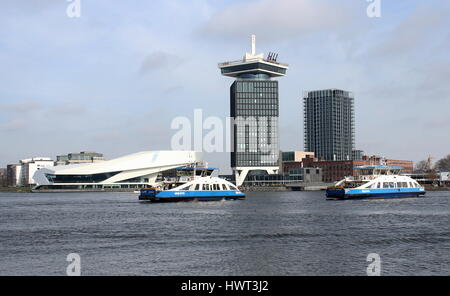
pixel 255 108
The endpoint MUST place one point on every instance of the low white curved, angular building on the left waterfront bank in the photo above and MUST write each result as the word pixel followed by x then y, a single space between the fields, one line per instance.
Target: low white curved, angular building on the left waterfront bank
pixel 131 171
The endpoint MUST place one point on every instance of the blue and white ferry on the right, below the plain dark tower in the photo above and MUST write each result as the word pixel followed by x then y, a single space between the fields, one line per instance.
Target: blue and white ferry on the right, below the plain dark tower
pixel 376 182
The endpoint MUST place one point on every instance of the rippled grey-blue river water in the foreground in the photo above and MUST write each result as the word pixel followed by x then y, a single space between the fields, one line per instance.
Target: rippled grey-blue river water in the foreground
pixel 287 233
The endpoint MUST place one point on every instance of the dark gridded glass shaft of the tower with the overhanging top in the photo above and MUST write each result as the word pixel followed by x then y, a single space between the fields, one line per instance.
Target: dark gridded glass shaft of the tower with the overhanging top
pixel 254 106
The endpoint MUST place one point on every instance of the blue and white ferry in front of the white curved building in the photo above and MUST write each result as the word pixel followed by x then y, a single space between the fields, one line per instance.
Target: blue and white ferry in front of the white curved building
pixel 201 189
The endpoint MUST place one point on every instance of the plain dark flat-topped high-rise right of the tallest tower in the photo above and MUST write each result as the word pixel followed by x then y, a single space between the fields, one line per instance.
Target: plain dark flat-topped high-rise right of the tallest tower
pixel 329 124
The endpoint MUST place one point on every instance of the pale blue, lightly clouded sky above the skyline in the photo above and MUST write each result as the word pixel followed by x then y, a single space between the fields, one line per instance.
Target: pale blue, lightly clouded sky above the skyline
pixel 113 79
